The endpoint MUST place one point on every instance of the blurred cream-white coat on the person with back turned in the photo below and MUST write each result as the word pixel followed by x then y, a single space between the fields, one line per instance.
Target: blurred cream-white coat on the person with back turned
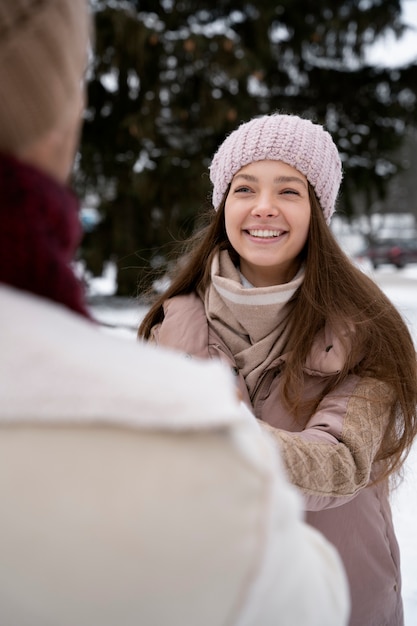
pixel 132 495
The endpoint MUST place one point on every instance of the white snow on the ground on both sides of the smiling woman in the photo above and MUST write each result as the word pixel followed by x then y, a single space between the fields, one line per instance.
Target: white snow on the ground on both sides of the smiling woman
pixel 122 317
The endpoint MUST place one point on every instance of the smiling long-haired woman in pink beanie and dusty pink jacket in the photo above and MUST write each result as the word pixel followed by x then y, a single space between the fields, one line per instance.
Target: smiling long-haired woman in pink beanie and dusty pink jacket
pixel 310 339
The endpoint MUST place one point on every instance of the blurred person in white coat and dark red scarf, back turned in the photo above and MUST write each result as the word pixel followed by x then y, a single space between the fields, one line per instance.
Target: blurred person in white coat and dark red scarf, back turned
pixel 124 502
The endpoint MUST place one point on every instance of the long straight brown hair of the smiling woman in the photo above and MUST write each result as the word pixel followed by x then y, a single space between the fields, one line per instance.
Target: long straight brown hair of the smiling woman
pixel 335 293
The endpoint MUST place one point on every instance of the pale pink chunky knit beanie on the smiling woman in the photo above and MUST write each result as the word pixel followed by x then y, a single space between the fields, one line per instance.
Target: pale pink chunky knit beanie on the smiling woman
pixel 288 138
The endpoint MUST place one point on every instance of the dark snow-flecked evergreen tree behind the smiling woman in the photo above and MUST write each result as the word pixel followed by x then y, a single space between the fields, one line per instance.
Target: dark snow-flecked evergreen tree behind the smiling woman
pixel 170 79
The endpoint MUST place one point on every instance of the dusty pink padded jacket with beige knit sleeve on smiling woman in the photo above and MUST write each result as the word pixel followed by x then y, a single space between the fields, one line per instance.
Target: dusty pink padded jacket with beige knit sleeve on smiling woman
pixel 329 456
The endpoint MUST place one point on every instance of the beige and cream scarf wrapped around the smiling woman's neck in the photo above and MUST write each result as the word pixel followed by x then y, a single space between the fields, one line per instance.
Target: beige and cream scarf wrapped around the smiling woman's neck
pixel 251 321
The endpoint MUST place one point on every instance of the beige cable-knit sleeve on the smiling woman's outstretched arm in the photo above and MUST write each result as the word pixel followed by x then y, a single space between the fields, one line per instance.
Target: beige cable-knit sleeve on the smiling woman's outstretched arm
pixel 331 467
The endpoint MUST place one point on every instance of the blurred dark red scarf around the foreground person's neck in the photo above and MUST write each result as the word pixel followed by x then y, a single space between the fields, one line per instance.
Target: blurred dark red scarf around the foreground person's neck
pixel 39 234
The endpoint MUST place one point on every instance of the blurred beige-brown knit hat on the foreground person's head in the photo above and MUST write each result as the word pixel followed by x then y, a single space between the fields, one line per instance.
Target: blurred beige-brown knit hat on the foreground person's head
pixel 43 56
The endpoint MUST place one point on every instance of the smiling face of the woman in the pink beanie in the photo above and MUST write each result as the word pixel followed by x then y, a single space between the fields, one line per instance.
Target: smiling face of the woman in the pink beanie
pixel 267 217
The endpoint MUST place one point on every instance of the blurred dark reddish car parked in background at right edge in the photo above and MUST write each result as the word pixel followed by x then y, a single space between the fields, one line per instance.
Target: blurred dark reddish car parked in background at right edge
pixel 398 252
